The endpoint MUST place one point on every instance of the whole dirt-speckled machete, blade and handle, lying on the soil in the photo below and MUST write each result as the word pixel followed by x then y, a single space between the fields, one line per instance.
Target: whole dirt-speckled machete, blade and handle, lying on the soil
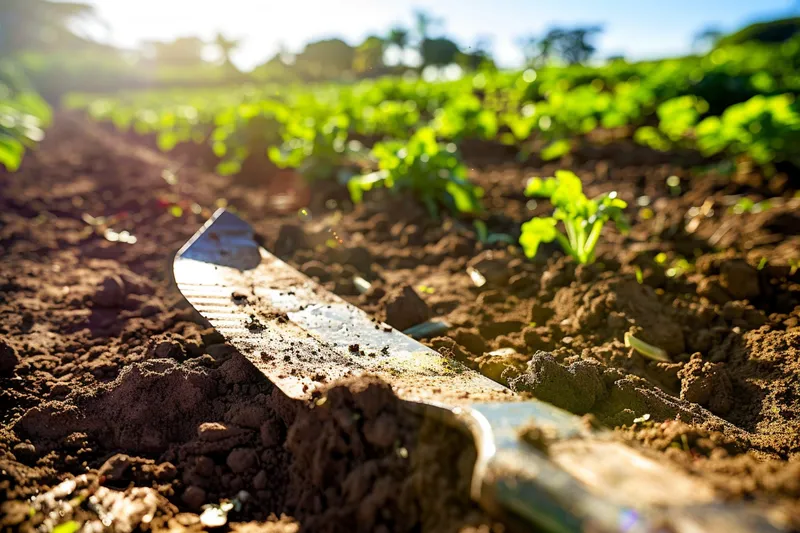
pixel 301 336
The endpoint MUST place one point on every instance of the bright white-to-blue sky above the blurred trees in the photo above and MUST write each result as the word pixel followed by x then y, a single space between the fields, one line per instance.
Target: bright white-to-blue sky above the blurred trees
pixel 636 28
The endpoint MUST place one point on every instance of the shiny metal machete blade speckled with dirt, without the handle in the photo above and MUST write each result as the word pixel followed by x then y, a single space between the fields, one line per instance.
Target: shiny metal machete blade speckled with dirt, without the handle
pixel 300 335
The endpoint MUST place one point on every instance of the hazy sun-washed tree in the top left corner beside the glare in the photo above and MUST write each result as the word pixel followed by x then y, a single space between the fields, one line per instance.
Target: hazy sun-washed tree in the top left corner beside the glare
pixel 38 24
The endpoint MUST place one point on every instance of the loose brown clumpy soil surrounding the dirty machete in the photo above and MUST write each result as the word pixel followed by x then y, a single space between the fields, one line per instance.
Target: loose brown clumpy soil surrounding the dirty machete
pixel 107 373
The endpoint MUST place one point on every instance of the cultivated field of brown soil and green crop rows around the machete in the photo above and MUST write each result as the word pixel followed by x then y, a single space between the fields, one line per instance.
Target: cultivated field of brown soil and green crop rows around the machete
pixel 620 241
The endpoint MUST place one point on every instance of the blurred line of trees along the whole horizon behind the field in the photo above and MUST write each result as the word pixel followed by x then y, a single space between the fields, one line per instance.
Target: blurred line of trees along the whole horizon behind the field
pixel 48 28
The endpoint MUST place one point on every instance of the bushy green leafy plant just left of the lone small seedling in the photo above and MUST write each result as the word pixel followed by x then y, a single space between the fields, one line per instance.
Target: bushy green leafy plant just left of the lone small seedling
pixel 432 171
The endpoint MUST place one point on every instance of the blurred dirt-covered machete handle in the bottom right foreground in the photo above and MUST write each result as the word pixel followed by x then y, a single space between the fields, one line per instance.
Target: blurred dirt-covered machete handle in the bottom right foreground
pixel 572 478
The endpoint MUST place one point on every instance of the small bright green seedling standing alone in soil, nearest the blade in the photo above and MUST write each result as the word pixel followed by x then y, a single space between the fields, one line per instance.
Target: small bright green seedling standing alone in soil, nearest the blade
pixel 583 218
